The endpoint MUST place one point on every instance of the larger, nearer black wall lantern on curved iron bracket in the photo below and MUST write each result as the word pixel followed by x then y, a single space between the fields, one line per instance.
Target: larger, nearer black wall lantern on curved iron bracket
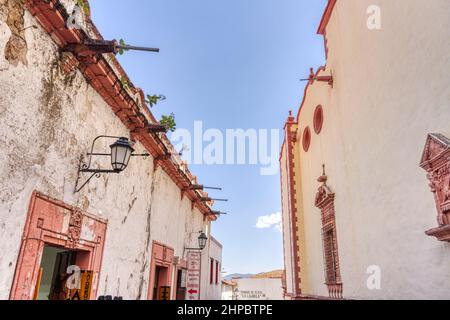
pixel 121 152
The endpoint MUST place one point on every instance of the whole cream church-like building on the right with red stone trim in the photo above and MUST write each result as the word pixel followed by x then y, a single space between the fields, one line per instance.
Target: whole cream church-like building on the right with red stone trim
pixel 365 162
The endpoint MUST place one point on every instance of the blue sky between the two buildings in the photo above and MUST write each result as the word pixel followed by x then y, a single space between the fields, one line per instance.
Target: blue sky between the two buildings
pixel 231 64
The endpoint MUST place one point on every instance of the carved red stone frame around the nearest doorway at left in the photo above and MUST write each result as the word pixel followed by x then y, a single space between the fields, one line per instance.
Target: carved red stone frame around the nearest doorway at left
pixel 55 223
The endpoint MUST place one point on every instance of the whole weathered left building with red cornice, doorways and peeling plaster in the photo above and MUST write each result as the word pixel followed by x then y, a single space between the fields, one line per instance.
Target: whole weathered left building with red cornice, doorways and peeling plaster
pixel 62 108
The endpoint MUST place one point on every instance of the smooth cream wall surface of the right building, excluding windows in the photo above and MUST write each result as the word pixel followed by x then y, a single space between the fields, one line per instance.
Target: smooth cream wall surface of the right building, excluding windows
pixel 391 89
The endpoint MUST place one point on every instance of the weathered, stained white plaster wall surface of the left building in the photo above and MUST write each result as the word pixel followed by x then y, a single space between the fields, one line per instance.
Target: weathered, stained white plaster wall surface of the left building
pixel 48 120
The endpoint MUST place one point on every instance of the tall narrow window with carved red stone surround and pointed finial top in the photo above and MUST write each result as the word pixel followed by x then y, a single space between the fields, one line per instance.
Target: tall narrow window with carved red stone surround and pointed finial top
pixel 325 202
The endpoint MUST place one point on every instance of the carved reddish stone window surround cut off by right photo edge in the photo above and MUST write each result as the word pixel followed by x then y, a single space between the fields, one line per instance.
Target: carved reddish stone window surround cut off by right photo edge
pixel 436 162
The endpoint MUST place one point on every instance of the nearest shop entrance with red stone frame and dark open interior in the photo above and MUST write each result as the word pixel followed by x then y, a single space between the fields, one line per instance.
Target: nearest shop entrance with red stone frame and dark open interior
pixel 53 239
